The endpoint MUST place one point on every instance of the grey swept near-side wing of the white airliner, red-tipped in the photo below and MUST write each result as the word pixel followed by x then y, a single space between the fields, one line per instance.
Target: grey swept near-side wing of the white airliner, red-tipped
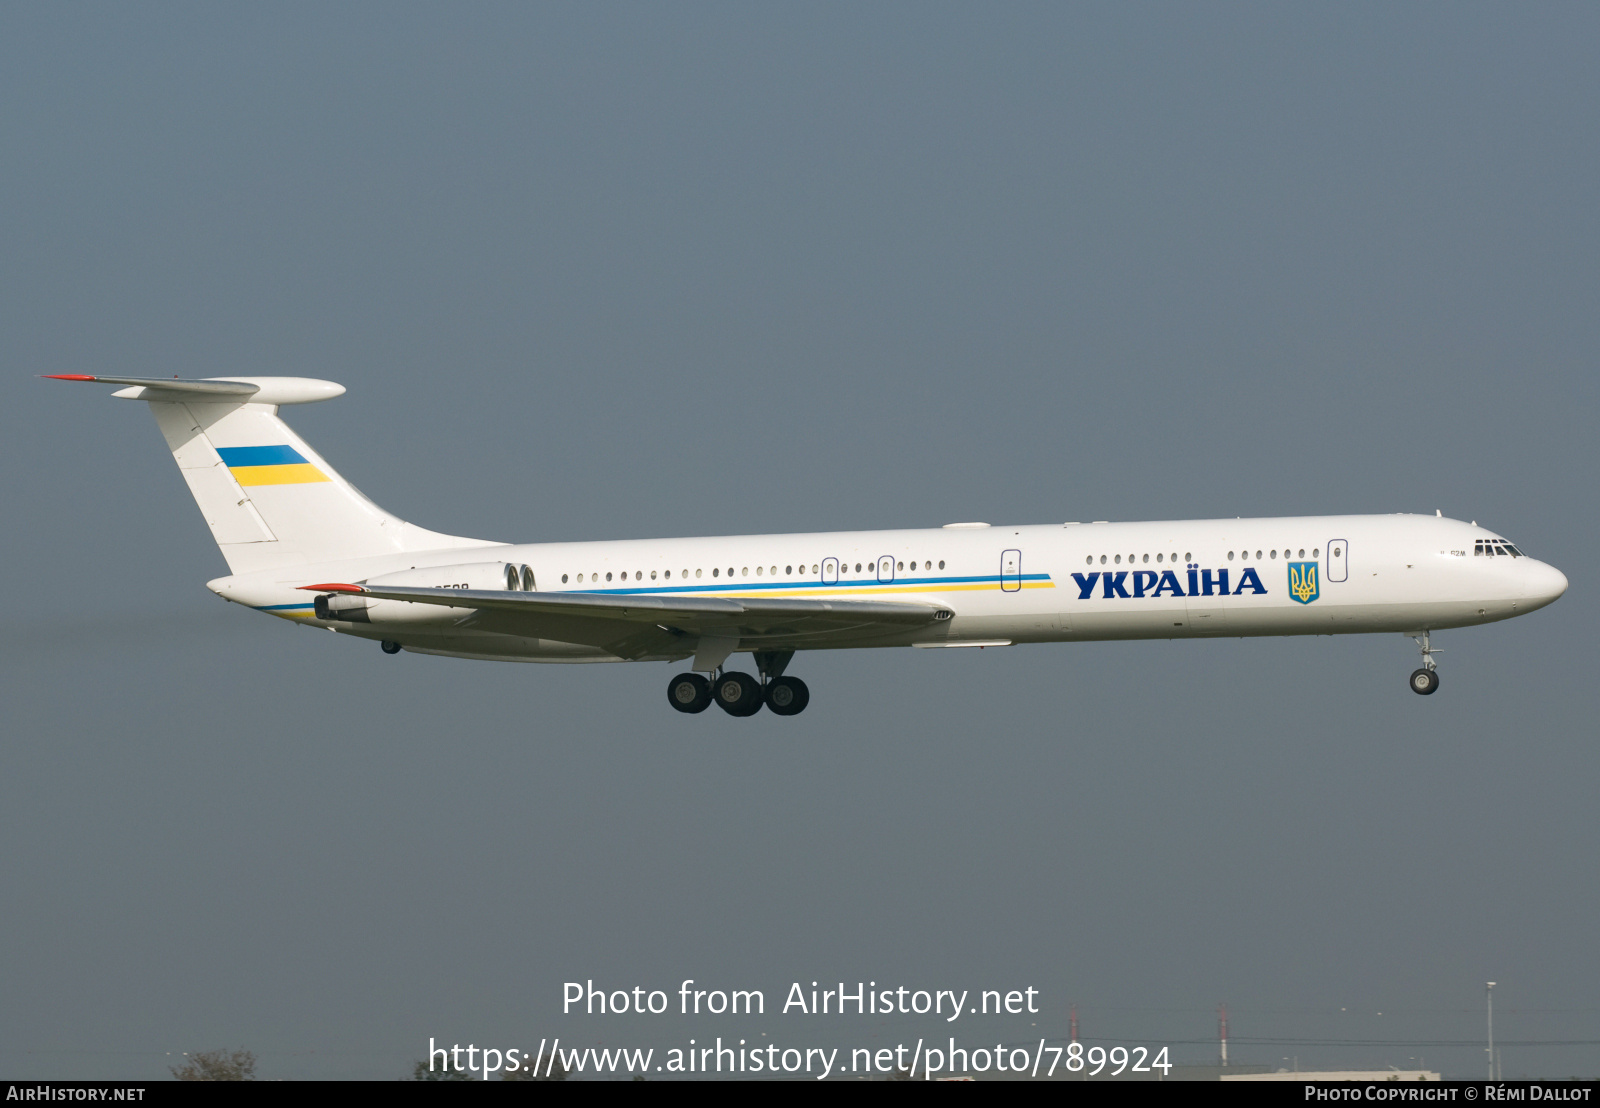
pixel 634 627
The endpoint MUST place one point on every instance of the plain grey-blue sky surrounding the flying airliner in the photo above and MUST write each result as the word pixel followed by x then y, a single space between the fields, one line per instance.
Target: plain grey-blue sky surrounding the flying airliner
pixel 638 271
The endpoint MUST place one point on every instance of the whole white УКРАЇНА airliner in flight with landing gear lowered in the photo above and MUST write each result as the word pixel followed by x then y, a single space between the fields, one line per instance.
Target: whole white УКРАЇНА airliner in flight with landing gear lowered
pixel 305 545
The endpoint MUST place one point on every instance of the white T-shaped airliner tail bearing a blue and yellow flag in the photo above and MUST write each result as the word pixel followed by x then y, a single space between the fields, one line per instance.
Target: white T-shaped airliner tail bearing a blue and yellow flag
pixel 270 500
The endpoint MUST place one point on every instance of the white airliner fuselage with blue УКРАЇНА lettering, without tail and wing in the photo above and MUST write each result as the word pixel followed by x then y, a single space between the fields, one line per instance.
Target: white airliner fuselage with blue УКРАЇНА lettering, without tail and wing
pixel 1004 585
